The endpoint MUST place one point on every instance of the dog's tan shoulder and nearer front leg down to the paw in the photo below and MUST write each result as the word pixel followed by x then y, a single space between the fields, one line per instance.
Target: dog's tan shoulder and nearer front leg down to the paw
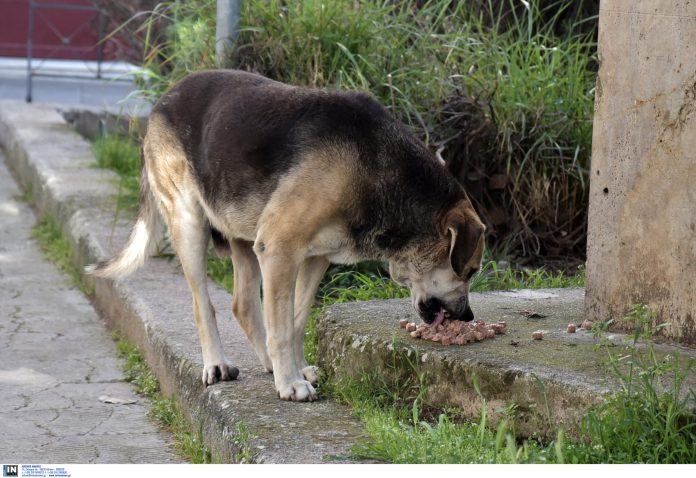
pixel 297 225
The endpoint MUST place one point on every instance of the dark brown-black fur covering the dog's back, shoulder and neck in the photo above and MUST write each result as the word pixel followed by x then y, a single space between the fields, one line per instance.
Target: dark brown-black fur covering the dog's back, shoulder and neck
pixel 243 132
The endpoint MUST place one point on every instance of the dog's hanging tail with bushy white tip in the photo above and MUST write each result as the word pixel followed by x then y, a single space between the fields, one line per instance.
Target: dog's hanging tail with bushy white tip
pixel 143 239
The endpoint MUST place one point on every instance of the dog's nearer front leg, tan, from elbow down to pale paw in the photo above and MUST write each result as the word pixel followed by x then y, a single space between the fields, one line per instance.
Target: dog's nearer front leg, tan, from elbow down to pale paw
pixel 279 268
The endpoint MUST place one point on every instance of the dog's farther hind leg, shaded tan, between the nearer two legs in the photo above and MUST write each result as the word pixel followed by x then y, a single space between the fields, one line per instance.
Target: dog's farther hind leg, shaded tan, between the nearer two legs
pixel 246 298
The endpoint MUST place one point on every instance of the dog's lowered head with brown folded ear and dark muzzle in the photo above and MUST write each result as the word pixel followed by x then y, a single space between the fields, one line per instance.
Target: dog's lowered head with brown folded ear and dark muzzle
pixel 439 284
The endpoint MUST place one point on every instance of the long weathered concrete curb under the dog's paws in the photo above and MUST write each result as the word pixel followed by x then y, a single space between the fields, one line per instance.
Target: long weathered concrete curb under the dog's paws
pixel 152 308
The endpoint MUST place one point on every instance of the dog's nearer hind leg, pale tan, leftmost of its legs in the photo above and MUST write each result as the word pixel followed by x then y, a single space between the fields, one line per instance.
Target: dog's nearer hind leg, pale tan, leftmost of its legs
pixel 190 234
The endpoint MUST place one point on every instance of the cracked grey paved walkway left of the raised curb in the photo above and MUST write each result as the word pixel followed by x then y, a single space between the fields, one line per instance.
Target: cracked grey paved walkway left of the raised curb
pixel 56 360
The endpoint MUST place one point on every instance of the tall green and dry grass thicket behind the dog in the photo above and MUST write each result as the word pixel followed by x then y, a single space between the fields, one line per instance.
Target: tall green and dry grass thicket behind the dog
pixel 504 90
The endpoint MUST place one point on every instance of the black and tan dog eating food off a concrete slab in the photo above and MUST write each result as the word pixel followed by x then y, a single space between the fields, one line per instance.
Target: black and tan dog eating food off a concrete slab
pixel 287 180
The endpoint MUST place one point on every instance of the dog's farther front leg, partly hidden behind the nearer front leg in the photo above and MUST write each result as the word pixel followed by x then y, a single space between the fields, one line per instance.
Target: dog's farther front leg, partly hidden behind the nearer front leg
pixel 308 279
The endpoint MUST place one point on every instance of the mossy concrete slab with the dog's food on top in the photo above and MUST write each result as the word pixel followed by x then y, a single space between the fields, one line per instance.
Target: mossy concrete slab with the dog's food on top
pixel 551 381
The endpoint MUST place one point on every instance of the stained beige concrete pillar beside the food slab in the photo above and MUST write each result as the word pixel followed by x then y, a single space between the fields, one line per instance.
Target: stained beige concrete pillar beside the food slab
pixel 642 217
